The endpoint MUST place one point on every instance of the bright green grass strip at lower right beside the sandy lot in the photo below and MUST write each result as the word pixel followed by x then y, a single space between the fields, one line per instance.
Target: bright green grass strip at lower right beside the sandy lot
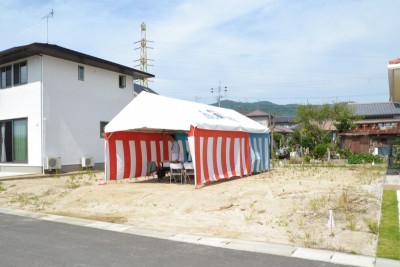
pixel 389 233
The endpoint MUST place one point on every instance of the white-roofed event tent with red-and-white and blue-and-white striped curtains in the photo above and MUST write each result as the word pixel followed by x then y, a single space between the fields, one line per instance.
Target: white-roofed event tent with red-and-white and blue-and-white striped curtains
pixel 221 142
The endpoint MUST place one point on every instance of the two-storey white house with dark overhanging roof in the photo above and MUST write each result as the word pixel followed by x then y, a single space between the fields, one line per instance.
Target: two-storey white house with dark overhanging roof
pixel 54 104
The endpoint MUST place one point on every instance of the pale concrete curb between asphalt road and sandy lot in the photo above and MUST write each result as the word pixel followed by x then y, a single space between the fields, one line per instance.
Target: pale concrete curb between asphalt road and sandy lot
pixel 251 246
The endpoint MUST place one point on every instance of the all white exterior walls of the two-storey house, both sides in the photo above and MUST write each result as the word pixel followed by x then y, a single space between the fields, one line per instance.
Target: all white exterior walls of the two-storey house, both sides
pixel 72 110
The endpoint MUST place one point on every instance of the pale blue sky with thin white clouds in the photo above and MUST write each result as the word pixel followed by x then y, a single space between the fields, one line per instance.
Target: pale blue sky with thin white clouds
pixel 282 51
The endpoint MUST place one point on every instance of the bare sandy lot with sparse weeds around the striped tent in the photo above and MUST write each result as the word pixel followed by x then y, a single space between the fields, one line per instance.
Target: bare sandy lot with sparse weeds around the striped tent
pixel 287 205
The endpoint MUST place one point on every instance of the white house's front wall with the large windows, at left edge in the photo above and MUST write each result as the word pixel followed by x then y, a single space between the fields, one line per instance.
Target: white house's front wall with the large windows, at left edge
pixel 23 101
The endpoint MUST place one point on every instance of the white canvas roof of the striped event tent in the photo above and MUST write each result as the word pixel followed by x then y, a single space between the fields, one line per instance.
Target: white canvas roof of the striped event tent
pixel 150 112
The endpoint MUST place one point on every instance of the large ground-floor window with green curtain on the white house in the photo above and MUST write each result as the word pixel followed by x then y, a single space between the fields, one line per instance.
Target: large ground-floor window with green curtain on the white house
pixel 14 141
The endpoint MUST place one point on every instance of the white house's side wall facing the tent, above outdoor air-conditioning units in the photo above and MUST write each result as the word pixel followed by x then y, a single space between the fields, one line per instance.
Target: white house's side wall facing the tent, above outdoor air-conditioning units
pixel 73 109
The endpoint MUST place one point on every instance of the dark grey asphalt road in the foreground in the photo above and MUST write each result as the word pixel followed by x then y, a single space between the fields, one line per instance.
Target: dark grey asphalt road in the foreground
pixel 32 242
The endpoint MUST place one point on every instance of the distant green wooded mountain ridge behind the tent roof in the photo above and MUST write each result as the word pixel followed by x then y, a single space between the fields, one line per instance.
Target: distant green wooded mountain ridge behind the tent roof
pixel 266 106
